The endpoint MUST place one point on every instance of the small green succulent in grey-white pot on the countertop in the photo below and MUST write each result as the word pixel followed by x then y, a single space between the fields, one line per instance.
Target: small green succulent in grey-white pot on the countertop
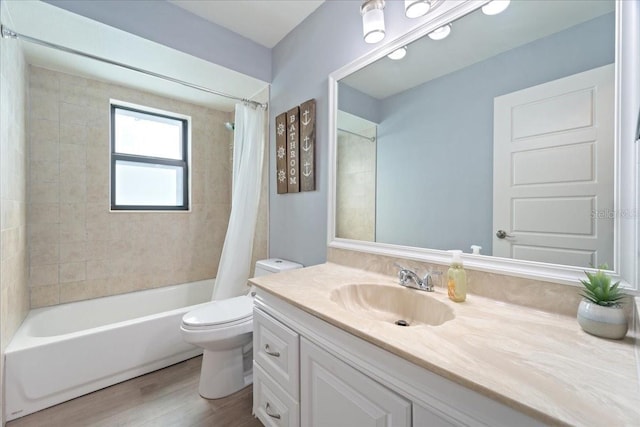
pixel 600 312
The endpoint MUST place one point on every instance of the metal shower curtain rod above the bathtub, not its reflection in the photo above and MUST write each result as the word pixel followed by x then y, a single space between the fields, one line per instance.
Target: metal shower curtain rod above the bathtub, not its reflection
pixel 8 33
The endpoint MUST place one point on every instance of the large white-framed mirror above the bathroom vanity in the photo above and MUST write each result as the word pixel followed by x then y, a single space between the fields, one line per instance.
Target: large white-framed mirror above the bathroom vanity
pixel 543 90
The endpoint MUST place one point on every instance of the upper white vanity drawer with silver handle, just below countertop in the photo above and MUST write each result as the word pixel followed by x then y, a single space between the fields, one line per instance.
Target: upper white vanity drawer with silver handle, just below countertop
pixel 275 349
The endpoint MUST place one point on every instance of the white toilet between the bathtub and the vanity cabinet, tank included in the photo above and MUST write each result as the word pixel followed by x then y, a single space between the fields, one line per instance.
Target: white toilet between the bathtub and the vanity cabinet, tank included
pixel 224 330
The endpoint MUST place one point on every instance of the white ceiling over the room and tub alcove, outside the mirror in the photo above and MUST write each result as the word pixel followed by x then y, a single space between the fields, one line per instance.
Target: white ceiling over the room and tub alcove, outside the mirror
pixel 44 21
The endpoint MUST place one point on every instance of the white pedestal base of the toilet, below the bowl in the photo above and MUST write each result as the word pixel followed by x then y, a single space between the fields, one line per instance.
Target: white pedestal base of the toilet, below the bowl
pixel 222 373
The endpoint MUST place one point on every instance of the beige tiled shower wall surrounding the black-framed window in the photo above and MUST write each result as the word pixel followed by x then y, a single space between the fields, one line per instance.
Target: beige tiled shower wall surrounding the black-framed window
pixel 78 248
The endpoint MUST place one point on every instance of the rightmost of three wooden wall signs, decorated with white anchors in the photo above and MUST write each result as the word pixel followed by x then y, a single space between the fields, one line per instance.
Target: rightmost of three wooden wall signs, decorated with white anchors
pixel 307 145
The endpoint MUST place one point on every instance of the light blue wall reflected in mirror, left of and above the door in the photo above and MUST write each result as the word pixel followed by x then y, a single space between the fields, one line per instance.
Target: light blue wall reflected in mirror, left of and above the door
pixel 438 169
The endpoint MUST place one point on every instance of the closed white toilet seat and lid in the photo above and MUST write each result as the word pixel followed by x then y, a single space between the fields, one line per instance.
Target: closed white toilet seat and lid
pixel 220 314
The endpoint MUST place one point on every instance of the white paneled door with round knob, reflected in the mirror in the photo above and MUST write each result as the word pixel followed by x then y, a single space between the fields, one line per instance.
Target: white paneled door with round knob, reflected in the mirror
pixel 553 171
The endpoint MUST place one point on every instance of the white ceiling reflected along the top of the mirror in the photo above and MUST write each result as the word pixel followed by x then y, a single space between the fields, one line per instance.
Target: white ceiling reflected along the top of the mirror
pixel 474 38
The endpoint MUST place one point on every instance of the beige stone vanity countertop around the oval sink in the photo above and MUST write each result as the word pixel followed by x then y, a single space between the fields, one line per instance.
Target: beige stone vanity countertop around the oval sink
pixel 539 363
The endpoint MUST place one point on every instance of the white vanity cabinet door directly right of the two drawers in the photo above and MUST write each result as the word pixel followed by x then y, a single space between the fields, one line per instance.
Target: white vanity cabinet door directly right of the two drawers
pixel 333 394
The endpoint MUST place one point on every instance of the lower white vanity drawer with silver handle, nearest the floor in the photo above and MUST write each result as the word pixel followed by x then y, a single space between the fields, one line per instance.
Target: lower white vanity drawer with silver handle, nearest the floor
pixel 271 404
